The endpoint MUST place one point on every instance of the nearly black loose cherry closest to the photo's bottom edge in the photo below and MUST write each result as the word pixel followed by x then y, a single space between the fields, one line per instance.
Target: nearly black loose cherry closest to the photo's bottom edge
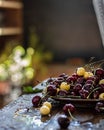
pixel 63 121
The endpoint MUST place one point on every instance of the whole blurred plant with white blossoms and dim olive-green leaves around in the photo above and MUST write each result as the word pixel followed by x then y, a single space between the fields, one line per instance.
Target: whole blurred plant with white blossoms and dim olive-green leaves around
pixel 19 65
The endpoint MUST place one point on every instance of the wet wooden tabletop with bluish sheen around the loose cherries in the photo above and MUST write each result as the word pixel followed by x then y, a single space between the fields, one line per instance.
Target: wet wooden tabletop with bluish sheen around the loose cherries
pixel 21 115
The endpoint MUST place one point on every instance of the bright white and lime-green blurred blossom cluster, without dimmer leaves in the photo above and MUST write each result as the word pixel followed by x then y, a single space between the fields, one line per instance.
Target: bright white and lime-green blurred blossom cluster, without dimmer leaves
pixel 17 67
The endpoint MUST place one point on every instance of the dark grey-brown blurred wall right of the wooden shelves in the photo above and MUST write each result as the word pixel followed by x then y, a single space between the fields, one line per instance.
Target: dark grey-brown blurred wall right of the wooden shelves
pixel 68 28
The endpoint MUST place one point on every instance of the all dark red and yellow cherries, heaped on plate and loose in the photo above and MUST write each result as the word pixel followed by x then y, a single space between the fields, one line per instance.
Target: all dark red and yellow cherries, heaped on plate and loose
pixel 82 84
